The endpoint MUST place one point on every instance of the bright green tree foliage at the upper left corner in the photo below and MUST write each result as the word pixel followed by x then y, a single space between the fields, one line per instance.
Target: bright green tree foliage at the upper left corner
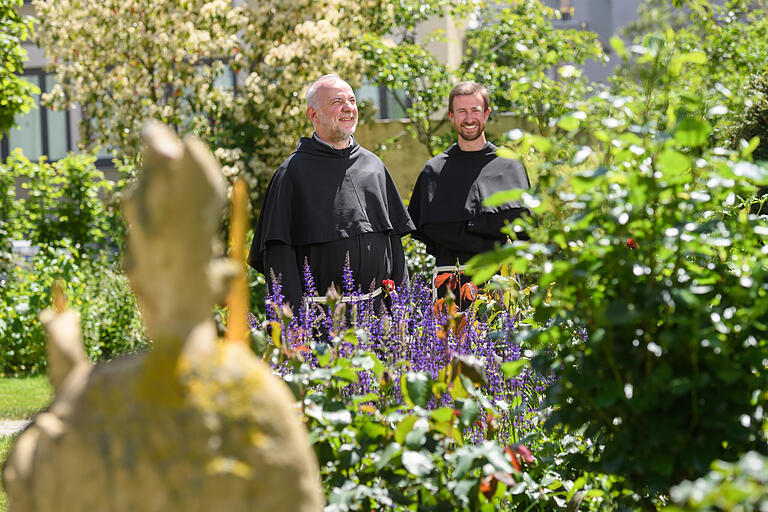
pixel 15 92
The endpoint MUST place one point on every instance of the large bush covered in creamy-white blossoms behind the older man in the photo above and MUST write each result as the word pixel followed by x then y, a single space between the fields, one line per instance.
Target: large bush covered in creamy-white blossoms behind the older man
pixel 126 61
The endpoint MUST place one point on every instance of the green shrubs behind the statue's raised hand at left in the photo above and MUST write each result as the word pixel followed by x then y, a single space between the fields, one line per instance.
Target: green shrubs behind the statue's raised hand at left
pixel 67 213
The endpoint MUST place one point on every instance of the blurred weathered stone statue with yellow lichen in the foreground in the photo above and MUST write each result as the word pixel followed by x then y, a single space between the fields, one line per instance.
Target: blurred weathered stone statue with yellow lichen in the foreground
pixel 196 424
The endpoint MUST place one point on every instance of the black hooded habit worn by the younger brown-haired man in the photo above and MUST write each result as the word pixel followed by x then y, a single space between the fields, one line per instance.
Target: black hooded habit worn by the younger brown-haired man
pixel 447 202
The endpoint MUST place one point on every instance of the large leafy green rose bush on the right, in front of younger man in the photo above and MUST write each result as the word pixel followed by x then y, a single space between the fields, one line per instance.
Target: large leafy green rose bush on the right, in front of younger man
pixel 652 296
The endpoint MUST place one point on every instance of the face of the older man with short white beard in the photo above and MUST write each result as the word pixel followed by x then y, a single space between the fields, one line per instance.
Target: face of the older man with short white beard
pixel 335 112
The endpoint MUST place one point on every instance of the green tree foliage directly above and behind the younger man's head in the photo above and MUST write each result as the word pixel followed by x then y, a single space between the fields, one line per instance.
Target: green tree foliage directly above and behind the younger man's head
pixel 529 66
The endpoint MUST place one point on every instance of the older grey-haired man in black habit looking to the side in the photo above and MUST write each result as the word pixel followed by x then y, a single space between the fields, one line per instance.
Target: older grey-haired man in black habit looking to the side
pixel 330 202
